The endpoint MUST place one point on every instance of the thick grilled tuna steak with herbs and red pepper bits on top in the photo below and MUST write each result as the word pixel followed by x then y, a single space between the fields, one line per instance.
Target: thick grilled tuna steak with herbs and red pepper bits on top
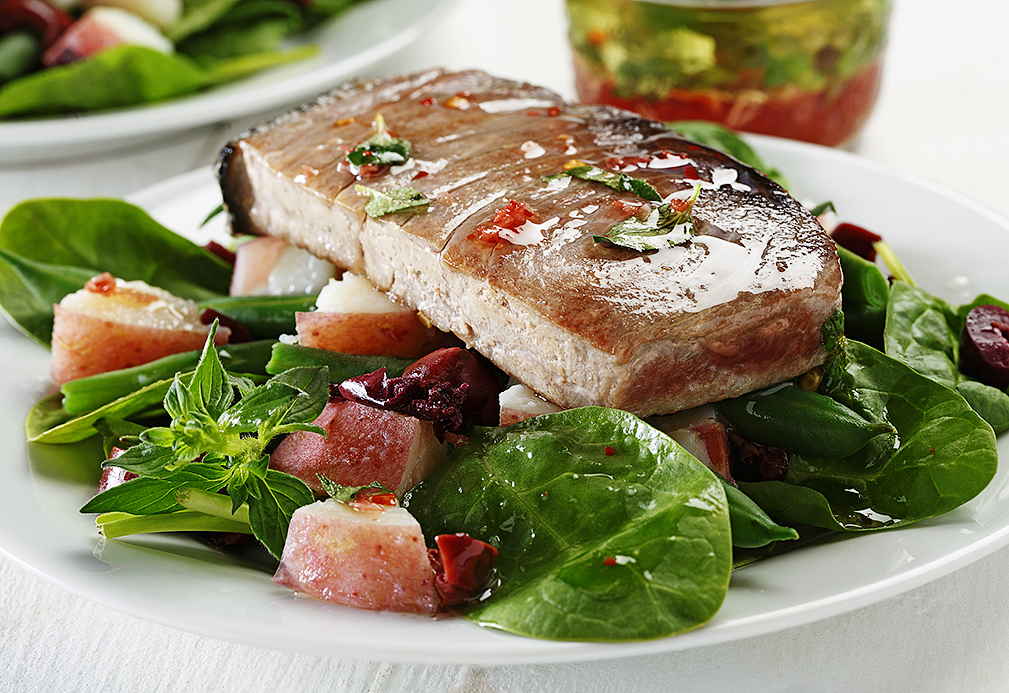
pixel 738 307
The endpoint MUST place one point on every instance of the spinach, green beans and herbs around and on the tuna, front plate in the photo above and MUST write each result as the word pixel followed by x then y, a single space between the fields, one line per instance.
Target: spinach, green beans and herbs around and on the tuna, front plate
pixel 606 529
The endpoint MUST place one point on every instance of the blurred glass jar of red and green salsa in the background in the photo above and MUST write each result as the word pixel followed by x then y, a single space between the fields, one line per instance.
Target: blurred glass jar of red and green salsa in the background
pixel 808 71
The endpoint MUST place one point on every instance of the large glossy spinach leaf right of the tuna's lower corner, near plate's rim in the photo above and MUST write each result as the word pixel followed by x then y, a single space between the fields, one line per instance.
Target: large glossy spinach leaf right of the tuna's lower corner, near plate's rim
pixel 947 454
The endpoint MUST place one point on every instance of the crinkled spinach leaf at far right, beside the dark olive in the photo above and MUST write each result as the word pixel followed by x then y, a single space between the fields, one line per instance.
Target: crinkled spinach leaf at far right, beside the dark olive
pixel 924 332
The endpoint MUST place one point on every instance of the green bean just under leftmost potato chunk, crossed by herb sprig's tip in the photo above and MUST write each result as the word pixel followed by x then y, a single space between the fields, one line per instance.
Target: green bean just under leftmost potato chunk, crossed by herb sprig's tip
pixel 89 394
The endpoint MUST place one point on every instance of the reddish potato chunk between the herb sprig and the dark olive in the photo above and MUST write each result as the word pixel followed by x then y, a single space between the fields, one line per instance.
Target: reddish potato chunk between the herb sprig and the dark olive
pixel 363 445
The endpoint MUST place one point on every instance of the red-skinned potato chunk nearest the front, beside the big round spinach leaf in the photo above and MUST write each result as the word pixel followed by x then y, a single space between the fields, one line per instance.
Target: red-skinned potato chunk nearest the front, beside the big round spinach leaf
pixel 361 555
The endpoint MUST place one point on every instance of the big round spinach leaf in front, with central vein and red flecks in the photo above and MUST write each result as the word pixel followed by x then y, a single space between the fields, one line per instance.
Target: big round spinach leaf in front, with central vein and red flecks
pixel 592 546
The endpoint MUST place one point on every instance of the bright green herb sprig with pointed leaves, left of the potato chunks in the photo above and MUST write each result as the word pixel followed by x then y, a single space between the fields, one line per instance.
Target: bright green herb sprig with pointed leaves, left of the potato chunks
pixel 216 444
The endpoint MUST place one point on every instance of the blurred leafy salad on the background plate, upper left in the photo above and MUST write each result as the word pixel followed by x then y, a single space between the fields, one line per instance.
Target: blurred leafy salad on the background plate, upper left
pixel 48 66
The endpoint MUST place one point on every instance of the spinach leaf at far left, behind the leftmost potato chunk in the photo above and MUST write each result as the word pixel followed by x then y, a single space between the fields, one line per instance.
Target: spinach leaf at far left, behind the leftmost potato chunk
pixel 51 248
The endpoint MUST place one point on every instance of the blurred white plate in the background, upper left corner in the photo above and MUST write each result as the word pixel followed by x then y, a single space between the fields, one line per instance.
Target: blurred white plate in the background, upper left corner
pixel 366 35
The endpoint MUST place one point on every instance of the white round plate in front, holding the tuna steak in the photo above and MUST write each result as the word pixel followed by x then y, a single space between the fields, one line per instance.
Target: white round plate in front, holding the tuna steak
pixel 948 244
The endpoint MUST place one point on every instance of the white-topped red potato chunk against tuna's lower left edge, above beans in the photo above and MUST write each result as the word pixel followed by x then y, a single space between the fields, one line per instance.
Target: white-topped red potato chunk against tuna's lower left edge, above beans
pixel 355 318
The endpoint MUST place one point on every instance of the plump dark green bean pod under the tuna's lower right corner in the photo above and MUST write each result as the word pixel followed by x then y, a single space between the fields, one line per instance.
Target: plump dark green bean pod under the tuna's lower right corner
pixel 800 421
